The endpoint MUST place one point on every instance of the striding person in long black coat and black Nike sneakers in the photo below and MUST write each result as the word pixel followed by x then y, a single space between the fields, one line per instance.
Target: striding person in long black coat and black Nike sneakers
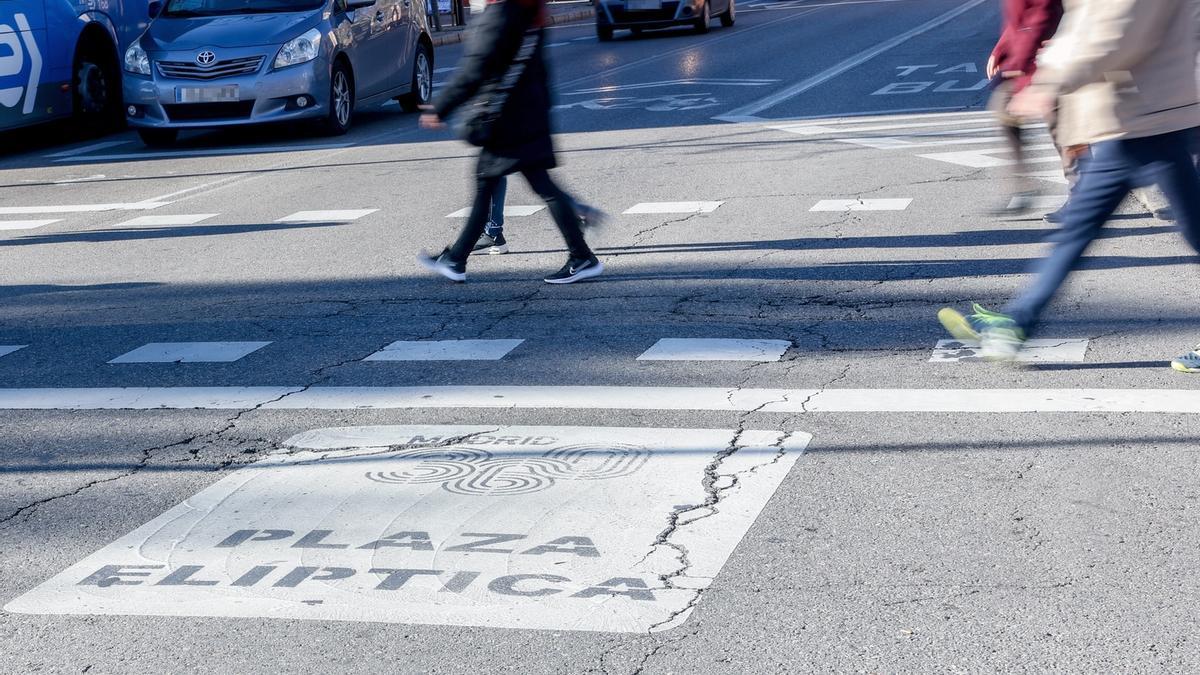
pixel 503 79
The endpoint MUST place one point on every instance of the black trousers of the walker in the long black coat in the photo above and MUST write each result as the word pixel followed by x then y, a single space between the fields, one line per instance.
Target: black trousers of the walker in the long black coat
pixel 562 210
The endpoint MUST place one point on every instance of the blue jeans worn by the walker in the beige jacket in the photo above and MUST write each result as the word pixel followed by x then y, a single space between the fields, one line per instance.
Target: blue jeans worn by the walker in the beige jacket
pixel 1114 169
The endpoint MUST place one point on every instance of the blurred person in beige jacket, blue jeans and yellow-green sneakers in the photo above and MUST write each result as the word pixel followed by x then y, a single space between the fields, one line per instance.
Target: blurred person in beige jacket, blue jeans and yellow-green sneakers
pixel 1127 88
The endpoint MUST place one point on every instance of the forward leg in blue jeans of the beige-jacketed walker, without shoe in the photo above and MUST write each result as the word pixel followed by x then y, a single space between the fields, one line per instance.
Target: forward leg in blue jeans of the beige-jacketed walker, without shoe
pixel 1105 182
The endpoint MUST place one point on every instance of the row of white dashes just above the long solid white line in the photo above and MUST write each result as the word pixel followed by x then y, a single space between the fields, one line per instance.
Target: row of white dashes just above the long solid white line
pixel 694 350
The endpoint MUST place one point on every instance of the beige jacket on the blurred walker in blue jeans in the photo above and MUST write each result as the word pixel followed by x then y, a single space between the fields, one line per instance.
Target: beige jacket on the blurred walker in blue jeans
pixel 1124 69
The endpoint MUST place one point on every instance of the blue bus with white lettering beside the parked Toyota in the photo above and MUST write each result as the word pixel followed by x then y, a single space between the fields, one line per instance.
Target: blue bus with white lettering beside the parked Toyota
pixel 61 58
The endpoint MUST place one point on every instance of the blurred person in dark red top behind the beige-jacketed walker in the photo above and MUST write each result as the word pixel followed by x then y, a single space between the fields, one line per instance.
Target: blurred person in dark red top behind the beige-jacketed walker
pixel 1028 26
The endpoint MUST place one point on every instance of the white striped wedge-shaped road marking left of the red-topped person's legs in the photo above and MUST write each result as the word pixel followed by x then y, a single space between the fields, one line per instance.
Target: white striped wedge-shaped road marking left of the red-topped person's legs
pixel 961 139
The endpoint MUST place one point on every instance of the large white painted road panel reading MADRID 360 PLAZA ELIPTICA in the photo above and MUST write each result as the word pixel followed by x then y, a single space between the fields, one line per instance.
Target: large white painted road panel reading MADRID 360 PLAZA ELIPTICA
pixel 536 528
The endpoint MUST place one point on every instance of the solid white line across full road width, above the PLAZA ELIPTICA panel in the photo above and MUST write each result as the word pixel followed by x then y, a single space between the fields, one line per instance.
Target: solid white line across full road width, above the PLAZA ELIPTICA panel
pixel 610 398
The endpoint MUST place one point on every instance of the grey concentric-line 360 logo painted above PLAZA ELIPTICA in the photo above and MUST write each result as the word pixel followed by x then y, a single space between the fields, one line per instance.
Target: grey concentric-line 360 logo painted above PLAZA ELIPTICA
pixel 471 471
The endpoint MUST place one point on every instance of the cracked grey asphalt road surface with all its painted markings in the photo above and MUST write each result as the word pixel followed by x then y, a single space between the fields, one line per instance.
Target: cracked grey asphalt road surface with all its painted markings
pixel 242 432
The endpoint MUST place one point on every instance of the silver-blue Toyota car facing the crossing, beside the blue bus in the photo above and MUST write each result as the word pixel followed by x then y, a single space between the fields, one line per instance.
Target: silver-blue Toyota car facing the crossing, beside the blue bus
pixel 223 63
